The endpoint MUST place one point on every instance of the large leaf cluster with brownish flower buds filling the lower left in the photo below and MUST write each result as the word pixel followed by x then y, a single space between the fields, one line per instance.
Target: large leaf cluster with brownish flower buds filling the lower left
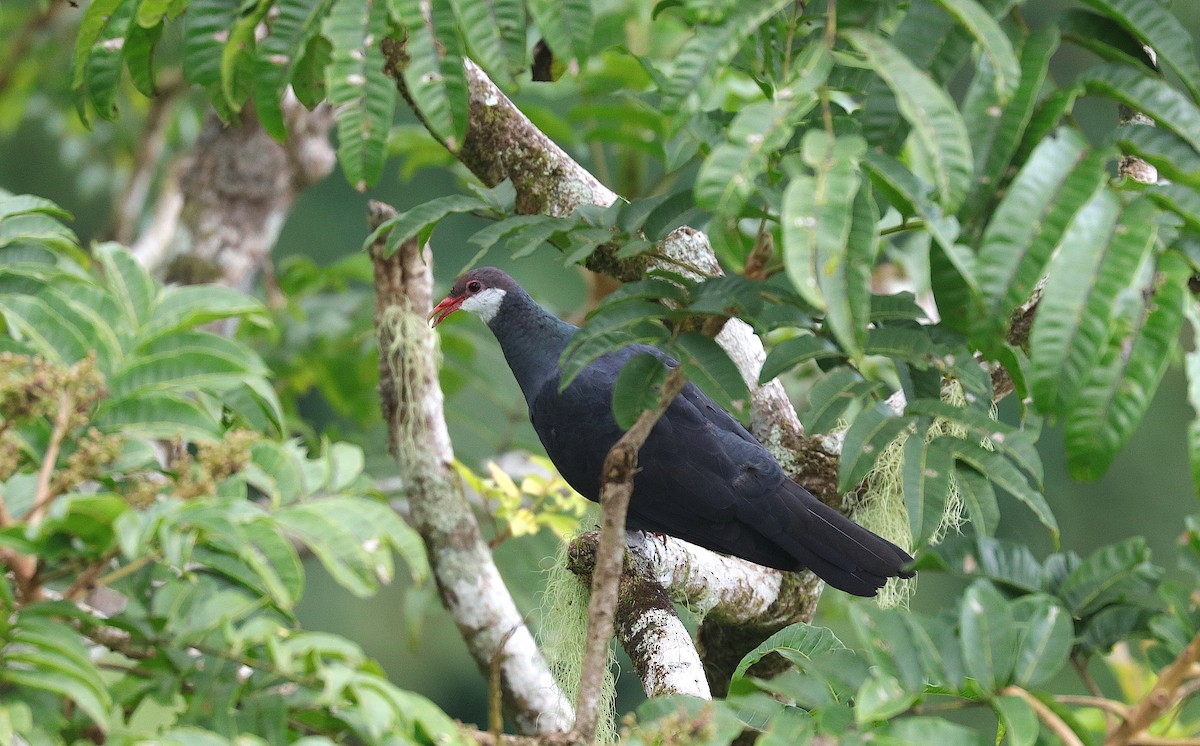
pixel 153 519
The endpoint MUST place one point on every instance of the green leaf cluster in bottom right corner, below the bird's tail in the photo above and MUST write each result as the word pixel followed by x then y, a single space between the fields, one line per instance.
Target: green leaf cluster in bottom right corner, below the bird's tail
pixel 1005 647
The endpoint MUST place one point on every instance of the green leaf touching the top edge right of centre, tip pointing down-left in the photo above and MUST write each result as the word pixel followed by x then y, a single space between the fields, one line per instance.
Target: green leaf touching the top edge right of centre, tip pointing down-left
pixel 712 49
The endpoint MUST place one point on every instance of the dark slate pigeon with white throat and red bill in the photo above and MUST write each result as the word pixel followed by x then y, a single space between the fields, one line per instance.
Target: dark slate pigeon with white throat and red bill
pixel 703 477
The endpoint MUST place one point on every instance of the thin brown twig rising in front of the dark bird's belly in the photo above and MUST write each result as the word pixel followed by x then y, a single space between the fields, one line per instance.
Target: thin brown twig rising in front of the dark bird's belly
pixel 617 486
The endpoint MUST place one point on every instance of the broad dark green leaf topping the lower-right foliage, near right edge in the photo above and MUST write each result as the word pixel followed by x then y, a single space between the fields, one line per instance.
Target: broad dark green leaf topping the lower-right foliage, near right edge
pixel 1117 573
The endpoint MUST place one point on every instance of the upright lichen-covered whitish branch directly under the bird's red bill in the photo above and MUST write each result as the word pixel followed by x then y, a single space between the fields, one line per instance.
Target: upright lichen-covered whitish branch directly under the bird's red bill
pixel 469 581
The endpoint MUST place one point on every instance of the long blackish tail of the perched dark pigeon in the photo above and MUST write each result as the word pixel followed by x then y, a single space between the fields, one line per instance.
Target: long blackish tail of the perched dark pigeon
pixel 841 552
